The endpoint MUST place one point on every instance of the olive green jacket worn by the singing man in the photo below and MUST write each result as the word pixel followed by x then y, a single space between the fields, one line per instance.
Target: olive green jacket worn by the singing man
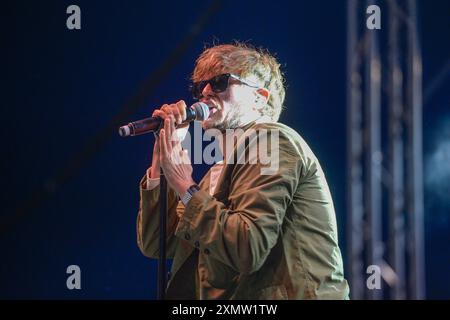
pixel 258 237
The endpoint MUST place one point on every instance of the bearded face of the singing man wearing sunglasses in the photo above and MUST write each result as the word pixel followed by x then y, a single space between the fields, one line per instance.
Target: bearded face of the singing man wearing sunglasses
pixel 230 109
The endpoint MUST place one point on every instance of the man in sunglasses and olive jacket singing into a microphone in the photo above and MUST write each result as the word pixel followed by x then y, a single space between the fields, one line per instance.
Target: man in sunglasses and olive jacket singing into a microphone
pixel 242 233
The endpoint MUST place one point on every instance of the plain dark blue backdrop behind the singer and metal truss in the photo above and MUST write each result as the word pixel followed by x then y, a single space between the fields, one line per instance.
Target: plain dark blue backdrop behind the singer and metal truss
pixel 62 87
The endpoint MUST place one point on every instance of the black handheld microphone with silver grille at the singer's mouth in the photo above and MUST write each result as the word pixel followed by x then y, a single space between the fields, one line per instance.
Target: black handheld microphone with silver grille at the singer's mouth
pixel 199 111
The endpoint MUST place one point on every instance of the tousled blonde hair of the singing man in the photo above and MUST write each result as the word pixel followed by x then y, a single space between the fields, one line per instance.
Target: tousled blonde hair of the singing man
pixel 244 60
